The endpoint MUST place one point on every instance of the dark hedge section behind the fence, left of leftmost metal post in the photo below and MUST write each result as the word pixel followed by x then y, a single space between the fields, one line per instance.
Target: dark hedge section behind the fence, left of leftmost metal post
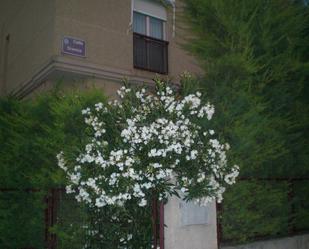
pixel 21 219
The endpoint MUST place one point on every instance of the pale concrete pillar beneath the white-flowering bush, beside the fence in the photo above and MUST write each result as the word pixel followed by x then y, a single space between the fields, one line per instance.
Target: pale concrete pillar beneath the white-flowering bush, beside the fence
pixel 189 226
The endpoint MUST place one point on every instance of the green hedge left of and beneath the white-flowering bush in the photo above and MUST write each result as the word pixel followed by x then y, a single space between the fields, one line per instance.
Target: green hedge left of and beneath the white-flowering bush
pixel 32 133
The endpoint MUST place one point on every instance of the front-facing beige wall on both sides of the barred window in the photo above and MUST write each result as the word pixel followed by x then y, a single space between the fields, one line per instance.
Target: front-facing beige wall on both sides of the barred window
pixel 105 26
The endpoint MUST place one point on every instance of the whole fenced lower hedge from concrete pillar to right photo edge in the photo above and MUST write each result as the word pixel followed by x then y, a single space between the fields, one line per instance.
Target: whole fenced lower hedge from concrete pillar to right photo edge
pixel 262 209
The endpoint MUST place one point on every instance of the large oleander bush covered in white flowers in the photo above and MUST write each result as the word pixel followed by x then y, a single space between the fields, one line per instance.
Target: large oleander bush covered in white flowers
pixel 148 144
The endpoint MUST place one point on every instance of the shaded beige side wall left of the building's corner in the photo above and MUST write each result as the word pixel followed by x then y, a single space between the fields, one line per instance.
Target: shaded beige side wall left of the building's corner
pixel 30 26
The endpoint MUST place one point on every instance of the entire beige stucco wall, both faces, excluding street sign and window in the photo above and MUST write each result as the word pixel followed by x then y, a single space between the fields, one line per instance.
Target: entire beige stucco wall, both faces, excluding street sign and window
pixel 36 28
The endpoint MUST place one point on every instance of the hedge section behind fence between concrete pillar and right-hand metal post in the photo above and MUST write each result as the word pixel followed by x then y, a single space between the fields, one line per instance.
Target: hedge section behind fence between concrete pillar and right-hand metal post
pixel 255 209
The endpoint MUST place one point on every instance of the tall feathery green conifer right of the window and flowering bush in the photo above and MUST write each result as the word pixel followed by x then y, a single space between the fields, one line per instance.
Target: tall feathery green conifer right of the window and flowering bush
pixel 255 55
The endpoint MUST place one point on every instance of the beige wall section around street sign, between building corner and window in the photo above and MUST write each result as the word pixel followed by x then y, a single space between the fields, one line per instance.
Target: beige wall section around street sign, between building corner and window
pixel 102 24
